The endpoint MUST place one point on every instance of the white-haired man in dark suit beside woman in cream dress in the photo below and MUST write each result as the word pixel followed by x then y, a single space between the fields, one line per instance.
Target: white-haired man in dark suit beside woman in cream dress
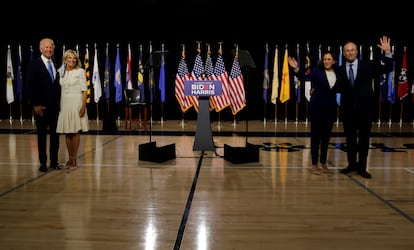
pixel 44 96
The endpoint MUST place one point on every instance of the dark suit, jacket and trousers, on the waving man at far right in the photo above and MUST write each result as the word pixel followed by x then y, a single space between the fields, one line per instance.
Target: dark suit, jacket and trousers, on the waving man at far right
pixel 358 106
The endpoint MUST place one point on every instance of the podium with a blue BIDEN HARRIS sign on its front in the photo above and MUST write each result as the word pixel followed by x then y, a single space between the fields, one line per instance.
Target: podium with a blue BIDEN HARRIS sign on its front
pixel 203 140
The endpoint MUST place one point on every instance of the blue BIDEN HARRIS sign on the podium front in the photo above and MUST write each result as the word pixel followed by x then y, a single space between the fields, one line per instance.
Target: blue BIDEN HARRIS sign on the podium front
pixel 202 88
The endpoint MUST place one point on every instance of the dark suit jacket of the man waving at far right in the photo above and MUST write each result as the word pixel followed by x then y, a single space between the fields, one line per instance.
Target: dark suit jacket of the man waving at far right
pixel 361 97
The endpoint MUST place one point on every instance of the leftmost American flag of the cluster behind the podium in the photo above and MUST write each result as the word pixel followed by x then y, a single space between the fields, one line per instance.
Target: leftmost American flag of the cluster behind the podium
pixel 181 76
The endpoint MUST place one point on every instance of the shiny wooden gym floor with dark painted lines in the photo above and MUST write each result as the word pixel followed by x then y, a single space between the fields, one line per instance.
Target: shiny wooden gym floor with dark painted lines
pixel 200 200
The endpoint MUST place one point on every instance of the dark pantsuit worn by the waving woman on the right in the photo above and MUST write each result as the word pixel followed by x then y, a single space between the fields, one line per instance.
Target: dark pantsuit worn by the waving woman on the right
pixel 322 108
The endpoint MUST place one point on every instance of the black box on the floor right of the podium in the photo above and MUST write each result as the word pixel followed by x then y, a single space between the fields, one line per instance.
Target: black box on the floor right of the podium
pixel 236 155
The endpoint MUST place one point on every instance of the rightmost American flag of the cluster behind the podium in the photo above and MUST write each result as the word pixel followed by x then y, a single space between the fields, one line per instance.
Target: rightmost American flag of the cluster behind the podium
pixel 237 94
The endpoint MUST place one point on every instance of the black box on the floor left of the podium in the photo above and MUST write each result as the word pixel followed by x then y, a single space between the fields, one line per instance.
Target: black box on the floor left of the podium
pixel 150 152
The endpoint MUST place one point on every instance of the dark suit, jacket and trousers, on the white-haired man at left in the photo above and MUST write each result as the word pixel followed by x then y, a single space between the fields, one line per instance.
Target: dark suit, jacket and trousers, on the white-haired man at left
pixel 43 91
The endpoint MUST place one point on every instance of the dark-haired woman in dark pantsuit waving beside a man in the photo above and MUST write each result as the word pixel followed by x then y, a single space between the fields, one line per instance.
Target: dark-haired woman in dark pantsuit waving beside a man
pixel 322 106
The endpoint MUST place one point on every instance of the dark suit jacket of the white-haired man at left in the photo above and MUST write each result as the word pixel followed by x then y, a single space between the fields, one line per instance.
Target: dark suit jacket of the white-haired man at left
pixel 41 89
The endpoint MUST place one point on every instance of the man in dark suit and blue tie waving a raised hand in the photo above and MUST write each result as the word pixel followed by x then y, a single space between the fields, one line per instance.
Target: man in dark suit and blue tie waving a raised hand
pixel 358 102
